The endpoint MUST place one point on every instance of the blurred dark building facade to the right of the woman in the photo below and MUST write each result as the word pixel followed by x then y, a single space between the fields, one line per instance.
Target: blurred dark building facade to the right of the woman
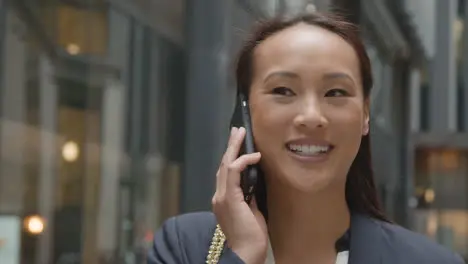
pixel 418 53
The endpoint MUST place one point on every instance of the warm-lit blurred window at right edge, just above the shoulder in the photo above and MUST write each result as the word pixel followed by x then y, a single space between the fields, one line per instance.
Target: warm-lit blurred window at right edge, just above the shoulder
pixel 441 187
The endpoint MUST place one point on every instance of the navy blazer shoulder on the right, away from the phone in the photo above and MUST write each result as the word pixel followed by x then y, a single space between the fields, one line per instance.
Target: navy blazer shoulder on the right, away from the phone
pixel 414 247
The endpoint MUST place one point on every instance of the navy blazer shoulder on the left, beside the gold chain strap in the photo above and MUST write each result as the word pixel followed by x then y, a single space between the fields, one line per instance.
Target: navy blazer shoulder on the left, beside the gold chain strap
pixel 182 238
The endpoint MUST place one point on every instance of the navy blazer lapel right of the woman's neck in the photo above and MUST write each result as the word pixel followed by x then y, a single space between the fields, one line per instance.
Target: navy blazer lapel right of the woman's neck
pixel 366 243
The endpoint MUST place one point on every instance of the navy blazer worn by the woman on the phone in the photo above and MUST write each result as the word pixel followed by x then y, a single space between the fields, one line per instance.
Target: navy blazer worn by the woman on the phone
pixel 186 238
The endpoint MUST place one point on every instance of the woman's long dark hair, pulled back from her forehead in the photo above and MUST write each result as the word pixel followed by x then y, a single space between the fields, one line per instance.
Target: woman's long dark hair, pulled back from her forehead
pixel 361 194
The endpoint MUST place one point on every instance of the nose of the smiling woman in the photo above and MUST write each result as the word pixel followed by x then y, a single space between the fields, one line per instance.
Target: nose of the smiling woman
pixel 310 115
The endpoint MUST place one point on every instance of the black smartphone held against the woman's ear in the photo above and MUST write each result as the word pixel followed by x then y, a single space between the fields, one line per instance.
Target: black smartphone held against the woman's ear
pixel 241 117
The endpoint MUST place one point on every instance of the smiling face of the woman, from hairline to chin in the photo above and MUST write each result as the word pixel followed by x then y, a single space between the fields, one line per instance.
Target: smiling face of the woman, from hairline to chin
pixel 308 108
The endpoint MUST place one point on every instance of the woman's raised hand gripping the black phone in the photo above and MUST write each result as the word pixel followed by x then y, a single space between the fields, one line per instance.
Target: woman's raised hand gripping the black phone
pixel 244 225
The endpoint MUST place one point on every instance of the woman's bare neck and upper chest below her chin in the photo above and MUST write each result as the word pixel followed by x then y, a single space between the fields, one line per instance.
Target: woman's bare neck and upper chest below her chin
pixel 305 227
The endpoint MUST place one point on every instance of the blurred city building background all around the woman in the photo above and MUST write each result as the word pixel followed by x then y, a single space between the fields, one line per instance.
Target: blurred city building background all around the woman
pixel 114 115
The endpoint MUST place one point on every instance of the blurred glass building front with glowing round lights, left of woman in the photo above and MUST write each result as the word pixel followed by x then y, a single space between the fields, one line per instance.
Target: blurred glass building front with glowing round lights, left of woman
pixel 90 132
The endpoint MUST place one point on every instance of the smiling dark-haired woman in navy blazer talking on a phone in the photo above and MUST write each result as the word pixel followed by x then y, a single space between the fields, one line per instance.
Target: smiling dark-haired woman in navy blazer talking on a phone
pixel 308 81
